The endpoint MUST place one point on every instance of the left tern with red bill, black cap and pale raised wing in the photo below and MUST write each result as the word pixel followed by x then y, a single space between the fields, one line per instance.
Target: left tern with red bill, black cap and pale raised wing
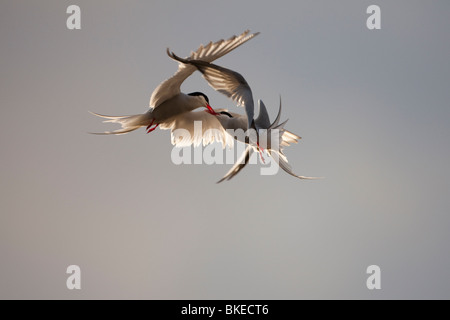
pixel 167 100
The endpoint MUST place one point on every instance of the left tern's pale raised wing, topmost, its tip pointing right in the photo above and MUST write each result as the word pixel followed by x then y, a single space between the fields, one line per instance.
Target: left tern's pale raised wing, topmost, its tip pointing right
pixel 171 87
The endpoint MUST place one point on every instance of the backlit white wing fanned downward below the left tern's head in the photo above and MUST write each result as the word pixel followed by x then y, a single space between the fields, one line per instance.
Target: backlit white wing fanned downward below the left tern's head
pixel 197 127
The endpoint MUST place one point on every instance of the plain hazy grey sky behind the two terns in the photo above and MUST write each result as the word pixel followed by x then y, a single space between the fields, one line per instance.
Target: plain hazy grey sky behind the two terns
pixel 372 108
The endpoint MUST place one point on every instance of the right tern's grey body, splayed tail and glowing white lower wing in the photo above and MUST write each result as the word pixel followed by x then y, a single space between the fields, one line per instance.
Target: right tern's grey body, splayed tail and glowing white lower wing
pixel 216 127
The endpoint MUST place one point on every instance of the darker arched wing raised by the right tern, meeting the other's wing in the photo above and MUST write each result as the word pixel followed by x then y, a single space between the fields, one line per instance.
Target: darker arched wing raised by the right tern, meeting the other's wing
pixel 226 81
